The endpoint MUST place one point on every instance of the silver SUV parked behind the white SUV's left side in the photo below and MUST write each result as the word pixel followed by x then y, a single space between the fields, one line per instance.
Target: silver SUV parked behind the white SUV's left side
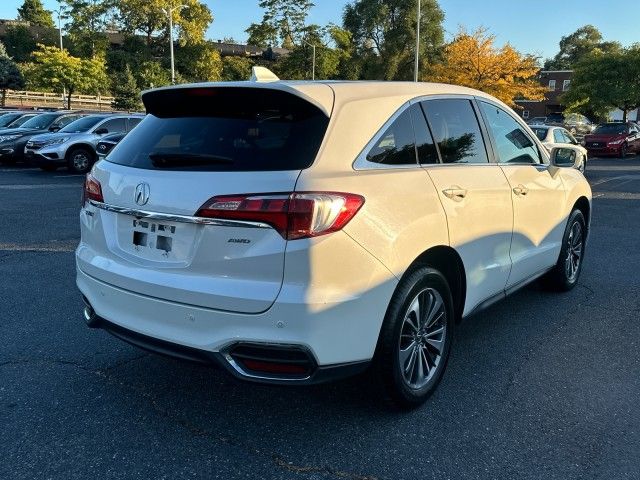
pixel 75 145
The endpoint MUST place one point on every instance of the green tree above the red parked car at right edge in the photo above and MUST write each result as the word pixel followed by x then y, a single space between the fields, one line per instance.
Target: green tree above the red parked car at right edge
pixel 603 82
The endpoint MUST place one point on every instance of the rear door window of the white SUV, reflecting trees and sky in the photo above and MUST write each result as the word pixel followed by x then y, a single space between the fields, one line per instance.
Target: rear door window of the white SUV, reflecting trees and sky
pixel 456 131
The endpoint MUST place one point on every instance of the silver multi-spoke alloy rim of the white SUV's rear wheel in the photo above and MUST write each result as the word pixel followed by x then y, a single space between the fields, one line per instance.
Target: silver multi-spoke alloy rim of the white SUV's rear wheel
pixel 422 338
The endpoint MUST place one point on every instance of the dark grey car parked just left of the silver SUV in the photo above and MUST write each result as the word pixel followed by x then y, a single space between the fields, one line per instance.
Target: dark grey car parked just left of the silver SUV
pixel 13 140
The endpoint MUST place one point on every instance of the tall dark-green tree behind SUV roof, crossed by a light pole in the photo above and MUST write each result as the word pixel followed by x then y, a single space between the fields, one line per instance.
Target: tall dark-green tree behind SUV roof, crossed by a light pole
pixel 384 34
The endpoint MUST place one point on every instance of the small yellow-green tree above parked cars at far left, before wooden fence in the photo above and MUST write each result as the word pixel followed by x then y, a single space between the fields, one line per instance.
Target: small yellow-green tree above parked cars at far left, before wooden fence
pixel 58 71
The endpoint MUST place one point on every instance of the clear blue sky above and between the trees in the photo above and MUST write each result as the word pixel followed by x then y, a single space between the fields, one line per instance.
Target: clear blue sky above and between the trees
pixel 531 27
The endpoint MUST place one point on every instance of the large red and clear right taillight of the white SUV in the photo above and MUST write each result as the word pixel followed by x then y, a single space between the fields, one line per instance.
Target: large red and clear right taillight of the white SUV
pixel 292 215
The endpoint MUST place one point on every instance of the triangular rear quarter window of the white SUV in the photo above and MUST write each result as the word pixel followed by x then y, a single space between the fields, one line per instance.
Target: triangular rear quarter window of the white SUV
pixel 397 144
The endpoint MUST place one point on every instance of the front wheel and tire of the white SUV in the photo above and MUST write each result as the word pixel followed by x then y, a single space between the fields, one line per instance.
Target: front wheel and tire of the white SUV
pixel 564 276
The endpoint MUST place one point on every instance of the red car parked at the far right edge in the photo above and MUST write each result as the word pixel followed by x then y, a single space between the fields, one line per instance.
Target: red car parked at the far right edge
pixel 613 139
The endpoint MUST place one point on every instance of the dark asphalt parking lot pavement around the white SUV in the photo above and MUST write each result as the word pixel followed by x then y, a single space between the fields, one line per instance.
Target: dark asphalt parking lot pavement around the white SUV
pixel 540 386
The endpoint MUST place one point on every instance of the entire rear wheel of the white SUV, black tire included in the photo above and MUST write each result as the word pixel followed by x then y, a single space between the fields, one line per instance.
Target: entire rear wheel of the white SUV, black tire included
pixel 388 370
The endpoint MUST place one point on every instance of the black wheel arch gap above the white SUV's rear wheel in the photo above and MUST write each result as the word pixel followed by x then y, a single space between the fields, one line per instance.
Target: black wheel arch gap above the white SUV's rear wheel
pixel 447 261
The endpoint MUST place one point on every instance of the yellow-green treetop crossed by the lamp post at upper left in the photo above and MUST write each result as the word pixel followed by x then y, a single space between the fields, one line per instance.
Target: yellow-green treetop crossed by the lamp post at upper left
pixel 148 17
